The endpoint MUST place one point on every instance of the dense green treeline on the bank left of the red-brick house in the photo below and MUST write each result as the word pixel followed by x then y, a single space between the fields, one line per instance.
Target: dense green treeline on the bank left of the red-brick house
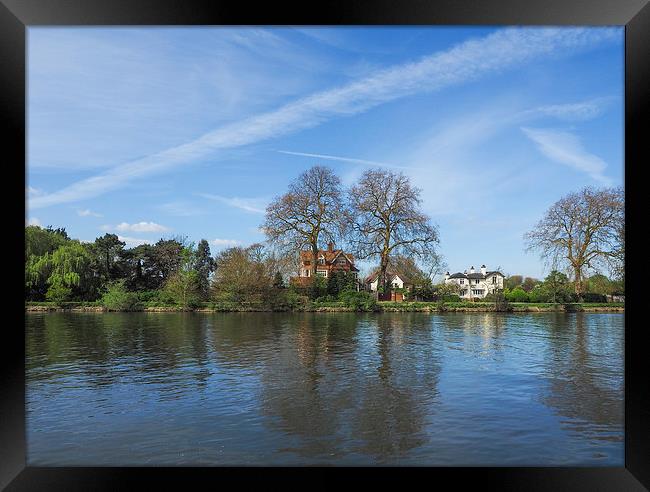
pixel 171 272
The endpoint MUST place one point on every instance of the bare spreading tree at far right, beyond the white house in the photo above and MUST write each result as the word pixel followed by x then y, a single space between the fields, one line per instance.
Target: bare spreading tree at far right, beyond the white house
pixel 584 231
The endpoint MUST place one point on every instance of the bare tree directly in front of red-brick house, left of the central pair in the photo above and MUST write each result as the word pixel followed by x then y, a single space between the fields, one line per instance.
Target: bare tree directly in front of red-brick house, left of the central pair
pixel 308 215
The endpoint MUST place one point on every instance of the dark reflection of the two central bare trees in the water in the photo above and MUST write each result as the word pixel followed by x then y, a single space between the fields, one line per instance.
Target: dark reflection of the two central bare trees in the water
pixel 338 394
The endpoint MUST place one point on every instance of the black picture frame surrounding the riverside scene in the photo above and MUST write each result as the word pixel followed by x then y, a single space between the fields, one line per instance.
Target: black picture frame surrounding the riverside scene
pixel 17 15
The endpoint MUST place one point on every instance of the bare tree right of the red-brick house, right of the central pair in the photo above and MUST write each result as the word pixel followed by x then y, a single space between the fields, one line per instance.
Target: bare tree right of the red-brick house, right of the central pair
pixel 386 220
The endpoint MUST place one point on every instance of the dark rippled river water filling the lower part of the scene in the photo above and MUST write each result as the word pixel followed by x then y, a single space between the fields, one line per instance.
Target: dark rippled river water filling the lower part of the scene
pixel 325 388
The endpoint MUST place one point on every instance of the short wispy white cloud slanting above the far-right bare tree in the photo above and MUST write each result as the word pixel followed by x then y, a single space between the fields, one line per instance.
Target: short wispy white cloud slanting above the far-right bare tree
pixel 566 148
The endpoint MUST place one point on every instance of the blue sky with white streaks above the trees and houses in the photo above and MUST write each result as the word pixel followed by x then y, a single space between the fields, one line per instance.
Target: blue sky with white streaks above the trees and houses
pixel 153 132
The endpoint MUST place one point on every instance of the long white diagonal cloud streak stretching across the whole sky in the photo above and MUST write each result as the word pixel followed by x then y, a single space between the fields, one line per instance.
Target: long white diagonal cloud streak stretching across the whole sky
pixel 467 61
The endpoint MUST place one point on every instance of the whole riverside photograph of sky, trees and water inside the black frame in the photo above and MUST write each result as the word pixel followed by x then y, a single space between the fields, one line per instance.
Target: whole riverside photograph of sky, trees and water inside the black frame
pixel 387 245
